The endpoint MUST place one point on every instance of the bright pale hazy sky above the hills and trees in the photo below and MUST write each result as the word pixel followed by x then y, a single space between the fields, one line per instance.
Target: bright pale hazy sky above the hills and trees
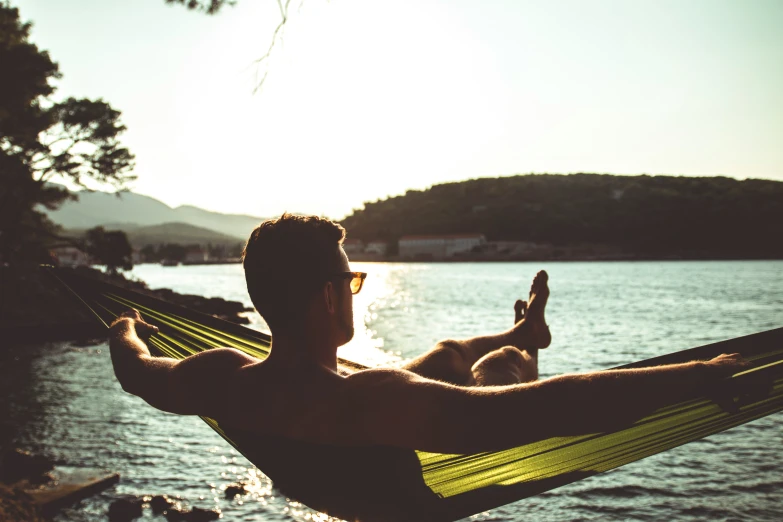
pixel 367 99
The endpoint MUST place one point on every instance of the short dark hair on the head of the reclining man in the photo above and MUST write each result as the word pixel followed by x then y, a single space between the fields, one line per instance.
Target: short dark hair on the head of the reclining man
pixel 286 261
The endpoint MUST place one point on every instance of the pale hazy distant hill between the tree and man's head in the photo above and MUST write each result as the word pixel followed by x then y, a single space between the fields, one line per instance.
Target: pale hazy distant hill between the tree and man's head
pixel 130 210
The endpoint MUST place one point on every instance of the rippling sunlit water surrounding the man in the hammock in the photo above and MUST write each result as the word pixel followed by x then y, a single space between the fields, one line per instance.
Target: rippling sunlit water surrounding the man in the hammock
pixel 66 400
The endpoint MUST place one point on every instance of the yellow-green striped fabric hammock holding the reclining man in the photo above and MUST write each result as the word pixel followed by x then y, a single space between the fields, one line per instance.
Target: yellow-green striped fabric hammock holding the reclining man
pixel 468 484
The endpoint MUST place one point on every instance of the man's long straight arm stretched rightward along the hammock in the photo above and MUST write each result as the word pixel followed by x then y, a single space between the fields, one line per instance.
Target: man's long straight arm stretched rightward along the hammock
pixel 400 409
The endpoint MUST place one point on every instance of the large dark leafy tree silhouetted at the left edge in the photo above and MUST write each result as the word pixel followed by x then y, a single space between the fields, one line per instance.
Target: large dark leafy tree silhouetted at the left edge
pixel 42 139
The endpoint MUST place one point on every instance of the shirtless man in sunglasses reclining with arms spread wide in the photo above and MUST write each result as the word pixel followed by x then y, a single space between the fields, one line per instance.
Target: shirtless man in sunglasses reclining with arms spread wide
pixel 344 443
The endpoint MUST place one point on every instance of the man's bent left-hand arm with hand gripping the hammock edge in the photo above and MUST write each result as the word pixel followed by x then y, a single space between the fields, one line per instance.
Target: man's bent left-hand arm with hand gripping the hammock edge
pixel 197 385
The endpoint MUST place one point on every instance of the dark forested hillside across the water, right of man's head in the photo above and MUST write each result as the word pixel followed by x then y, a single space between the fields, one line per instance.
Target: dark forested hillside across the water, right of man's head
pixel 642 215
